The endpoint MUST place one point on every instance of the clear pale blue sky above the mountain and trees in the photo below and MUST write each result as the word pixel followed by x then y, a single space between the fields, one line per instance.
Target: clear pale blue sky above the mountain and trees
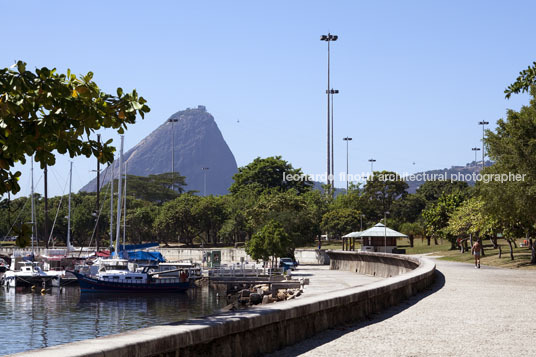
pixel 415 76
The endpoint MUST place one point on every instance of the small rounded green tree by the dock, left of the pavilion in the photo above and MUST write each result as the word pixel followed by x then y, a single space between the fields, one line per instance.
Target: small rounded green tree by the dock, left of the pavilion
pixel 271 240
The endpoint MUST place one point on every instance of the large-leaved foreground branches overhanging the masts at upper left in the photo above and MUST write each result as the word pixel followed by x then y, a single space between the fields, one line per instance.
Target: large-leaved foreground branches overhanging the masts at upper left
pixel 43 112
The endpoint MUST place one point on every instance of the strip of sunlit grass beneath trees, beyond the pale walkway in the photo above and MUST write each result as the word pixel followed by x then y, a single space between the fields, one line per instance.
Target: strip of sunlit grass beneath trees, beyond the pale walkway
pixel 521 254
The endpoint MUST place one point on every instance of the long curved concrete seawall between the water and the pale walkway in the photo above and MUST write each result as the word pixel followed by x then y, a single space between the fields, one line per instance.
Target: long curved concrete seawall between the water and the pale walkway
pixel 270 327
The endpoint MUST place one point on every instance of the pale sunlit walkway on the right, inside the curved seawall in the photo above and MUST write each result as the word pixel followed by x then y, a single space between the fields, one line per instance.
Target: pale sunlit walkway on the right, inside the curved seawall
pixel 469 312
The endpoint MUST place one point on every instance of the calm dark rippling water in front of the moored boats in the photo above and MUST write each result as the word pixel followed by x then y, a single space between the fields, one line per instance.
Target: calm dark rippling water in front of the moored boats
pixel 31 320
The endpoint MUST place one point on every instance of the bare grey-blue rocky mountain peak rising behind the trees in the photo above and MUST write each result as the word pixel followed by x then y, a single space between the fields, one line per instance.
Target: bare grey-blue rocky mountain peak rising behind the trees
pixel 198 144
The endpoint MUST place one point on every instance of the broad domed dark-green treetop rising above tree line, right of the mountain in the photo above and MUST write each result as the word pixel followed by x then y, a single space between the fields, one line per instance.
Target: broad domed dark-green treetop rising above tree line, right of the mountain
pixel 269 173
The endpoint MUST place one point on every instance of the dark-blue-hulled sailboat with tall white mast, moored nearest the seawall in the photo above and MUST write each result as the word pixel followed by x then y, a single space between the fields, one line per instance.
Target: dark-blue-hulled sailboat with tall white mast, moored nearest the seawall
pixel 113 274
